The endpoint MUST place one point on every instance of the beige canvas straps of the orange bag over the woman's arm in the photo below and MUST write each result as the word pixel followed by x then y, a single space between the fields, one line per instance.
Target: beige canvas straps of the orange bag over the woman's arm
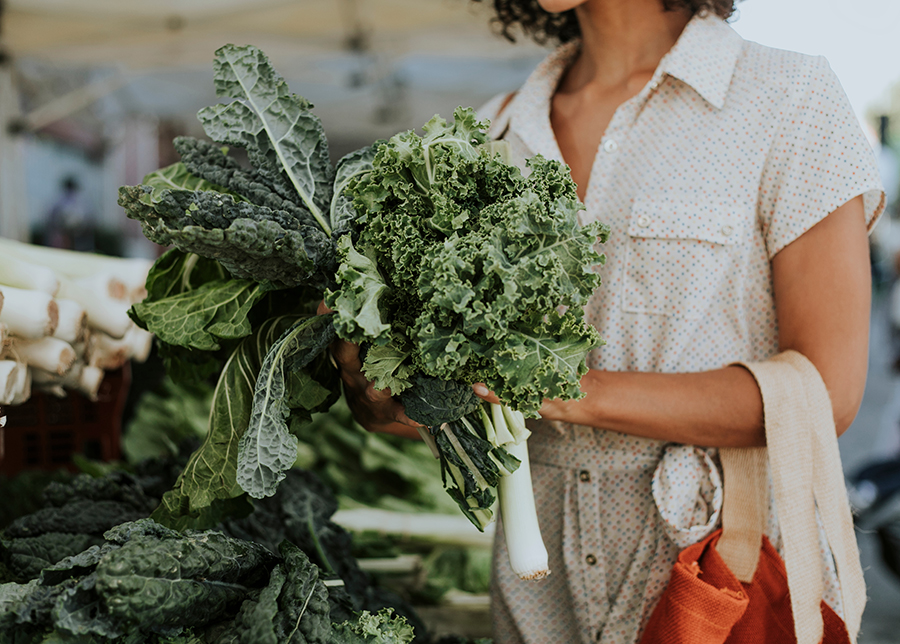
pixel 805 466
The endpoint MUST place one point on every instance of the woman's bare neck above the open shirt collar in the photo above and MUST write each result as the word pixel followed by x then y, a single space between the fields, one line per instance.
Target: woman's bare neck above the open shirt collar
pixel 621 39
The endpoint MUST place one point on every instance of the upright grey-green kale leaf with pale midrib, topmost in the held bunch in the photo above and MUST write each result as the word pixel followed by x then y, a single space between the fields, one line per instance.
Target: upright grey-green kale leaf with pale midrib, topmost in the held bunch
pixel 285 141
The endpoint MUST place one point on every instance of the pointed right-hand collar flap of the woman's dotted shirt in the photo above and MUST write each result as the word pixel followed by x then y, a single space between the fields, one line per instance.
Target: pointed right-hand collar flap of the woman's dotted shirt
pixel 704 57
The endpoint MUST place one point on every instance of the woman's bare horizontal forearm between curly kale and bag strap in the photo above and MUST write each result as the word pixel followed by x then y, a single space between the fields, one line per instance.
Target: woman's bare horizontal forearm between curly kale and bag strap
pixel 721 408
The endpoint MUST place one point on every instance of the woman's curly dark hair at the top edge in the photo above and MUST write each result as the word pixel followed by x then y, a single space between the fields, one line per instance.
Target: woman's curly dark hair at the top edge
pixel 545 27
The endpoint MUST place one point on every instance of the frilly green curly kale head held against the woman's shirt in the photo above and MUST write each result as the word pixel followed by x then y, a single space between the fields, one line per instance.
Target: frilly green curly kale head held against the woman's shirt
pixel 465 258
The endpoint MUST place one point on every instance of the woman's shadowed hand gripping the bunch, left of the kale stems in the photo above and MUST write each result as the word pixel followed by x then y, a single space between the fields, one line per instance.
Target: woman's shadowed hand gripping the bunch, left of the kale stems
pixel 374 409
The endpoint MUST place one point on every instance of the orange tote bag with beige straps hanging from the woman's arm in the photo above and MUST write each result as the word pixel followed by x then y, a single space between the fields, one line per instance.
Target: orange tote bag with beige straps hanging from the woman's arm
pixel 733 587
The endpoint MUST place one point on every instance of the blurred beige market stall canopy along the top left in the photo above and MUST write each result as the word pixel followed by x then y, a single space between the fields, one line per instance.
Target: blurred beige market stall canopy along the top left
pixel 170 33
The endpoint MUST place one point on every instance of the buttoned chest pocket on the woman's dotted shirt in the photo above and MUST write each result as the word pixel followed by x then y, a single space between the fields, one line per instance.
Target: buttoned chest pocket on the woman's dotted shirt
pixel 681 255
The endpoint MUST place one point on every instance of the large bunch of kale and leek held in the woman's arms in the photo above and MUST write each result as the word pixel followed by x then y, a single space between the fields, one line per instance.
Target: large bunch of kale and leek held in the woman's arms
pixel 435 251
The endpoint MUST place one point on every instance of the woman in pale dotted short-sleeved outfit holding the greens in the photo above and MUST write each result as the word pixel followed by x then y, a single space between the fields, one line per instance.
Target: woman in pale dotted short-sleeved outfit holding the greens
pixel 737 183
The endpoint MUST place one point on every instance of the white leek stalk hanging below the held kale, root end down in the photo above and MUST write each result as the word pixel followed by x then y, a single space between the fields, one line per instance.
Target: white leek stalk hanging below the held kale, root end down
pixel 527 553
